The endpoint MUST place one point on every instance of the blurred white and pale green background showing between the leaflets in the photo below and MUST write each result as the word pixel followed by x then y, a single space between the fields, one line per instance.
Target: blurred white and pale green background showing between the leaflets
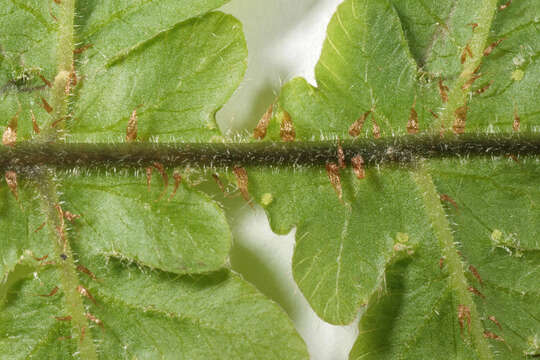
pixel 284 40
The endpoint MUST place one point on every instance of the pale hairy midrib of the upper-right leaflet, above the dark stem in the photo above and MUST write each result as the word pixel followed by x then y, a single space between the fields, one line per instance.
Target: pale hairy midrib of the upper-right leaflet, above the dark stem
pixel 458 96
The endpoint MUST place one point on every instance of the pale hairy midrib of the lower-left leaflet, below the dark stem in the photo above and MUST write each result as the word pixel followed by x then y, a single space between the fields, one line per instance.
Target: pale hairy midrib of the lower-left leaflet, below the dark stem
pixel 68 275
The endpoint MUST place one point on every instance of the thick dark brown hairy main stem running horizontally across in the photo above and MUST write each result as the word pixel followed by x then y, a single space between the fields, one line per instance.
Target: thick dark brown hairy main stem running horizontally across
pixel 399 150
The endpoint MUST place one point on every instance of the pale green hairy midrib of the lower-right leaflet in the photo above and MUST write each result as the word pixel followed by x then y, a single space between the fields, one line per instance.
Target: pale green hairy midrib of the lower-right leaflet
pixel 458 282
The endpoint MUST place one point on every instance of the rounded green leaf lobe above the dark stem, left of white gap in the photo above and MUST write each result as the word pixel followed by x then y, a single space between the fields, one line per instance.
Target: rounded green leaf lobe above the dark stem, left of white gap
pixel 176 80
